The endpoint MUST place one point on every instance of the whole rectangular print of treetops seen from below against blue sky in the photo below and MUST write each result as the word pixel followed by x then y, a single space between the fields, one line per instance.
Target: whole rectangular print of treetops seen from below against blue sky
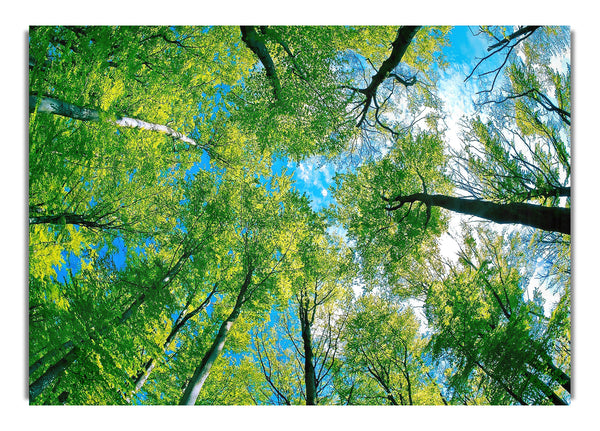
pixel 176 257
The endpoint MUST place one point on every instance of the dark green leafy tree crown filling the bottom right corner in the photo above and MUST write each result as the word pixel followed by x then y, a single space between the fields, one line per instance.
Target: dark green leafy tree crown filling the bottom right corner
pixel 484 325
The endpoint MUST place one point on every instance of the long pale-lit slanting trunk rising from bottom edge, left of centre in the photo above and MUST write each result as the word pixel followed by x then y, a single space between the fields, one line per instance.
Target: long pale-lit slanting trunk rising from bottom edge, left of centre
pixel 192 390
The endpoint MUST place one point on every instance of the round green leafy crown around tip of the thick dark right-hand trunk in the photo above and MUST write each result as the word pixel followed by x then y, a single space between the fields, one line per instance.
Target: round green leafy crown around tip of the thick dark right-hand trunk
pixel 387 240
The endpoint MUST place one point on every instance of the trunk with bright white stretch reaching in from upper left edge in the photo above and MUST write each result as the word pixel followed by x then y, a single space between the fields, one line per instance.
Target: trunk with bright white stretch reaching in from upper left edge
pixel 65 109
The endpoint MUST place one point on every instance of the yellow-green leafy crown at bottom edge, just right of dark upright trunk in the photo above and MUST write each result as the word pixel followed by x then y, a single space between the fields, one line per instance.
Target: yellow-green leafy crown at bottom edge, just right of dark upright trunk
pixel 384 356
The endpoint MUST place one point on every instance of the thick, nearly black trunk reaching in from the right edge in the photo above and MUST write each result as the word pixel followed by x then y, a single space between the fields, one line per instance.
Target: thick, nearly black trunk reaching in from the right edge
pixel 547 218
